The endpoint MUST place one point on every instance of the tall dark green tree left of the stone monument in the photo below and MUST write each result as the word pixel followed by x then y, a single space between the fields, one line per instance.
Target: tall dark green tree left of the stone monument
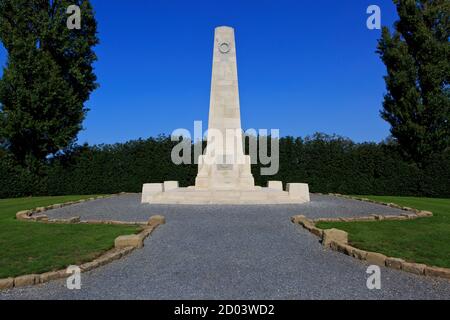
pixel 48 76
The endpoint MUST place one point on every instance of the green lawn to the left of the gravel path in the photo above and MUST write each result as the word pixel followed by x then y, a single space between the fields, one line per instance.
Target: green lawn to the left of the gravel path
pixel 29 247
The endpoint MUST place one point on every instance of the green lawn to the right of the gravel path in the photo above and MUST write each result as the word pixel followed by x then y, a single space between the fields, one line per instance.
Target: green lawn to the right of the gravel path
pixel 425 240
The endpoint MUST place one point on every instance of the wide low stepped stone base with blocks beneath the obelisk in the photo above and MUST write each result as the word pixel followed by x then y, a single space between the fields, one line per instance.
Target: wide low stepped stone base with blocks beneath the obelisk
pixel 155 194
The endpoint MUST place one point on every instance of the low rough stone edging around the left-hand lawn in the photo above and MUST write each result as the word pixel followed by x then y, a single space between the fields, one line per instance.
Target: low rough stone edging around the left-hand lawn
pixel 123 245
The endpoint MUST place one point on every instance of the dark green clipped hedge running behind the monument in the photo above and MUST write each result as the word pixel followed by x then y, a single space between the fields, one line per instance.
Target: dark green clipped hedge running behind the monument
pixel 327 163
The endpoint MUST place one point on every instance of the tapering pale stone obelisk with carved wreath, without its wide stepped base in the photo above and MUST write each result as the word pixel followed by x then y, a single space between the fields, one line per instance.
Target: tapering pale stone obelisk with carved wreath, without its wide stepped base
pixel 224 165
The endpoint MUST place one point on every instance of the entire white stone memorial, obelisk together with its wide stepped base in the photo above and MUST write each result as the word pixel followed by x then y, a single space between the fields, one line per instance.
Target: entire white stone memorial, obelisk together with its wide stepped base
pixel 224 175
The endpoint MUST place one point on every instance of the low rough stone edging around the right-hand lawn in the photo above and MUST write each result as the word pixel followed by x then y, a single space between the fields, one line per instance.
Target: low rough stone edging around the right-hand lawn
pixel 337 240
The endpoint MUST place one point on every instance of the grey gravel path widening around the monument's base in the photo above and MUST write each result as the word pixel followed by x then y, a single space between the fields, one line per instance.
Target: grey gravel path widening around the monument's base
pixel 232 252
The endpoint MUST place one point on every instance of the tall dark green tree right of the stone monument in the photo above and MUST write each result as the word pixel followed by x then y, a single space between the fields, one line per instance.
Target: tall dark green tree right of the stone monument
pixel 417 57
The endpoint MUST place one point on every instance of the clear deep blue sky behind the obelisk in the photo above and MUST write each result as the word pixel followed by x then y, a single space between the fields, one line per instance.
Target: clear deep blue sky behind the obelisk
pixel 304 66
